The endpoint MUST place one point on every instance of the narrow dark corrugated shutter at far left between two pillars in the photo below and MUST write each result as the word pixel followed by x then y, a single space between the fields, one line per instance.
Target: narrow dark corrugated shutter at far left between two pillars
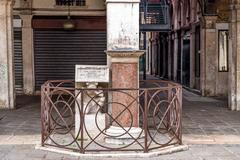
pixel 18 60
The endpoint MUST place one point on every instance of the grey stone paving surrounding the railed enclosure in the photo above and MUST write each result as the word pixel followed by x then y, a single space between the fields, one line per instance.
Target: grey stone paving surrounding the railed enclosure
pixel 209 128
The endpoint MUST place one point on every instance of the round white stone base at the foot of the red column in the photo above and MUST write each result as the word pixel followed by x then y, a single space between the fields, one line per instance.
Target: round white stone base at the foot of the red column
pixel 120 136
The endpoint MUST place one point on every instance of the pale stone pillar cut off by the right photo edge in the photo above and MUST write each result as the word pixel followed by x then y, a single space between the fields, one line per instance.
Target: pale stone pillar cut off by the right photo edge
pixel 234 58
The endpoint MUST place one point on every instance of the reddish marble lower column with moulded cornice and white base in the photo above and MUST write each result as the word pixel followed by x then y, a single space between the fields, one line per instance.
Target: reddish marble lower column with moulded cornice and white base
pixel 125 71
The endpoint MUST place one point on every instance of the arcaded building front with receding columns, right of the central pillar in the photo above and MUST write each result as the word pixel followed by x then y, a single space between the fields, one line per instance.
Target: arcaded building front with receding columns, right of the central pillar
pixel 200 50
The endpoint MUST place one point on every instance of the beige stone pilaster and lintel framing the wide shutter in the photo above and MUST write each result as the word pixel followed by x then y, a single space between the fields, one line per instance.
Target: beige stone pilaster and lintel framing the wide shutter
pixel 26 9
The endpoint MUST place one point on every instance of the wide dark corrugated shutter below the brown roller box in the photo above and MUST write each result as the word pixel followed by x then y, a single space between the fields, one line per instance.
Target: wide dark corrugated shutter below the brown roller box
pixel 57 52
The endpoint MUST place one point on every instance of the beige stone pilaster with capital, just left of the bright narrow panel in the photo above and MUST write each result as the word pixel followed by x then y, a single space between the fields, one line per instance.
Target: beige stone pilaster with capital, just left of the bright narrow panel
pixel 208 56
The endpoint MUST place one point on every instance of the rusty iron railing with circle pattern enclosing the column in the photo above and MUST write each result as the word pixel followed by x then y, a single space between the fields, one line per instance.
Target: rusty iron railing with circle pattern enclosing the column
pixel 159 114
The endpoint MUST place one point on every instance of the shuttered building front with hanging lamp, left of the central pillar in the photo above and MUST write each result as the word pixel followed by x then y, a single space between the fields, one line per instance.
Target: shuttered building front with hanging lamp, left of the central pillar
pixel 46 49
